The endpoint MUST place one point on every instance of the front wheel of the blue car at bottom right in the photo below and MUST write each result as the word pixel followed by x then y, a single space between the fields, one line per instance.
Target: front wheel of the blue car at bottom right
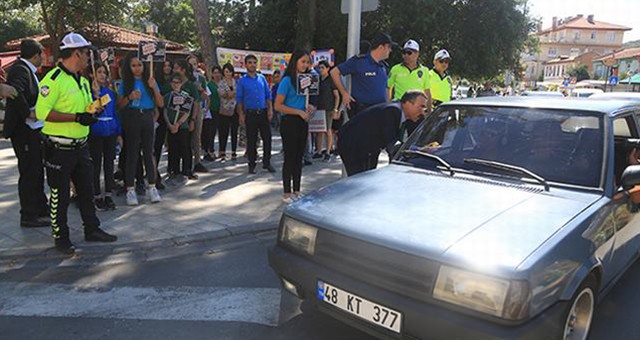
pixel 577 321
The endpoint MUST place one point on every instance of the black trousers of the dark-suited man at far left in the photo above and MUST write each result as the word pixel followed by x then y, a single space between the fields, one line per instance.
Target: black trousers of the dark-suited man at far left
pixel 27 146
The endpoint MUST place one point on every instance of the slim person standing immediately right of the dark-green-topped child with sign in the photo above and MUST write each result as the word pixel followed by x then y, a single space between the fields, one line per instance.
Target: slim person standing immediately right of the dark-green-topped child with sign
pixel 201 102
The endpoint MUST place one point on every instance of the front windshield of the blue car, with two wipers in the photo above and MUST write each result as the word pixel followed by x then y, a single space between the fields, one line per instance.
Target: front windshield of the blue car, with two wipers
pixel 558 146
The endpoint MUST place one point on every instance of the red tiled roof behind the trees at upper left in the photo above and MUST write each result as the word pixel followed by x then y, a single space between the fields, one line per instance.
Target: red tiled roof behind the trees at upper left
pixel 120 37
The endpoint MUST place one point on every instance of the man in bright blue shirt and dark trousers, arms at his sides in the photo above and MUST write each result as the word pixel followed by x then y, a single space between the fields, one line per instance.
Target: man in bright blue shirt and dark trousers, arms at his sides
pixel 255 112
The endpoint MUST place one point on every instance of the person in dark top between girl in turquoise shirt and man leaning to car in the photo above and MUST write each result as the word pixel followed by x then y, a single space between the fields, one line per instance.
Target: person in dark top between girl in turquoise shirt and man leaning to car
pixel 329 101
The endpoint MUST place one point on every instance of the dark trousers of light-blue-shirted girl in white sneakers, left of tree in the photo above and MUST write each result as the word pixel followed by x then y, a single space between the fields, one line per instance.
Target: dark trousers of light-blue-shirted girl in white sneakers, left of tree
pixel 139 133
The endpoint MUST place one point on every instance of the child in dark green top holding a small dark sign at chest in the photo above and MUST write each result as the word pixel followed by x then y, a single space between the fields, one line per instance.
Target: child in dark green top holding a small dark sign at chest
pixel 179 137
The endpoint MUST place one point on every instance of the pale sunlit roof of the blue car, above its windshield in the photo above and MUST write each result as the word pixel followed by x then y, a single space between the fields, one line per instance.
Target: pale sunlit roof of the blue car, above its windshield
pixel 607 106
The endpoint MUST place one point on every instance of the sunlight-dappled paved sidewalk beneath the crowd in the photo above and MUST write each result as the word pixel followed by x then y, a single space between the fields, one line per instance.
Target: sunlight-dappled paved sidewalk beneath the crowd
pixel 224 202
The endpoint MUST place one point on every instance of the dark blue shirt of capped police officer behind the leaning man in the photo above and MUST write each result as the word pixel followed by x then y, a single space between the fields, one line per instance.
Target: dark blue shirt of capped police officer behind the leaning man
pixel 368 81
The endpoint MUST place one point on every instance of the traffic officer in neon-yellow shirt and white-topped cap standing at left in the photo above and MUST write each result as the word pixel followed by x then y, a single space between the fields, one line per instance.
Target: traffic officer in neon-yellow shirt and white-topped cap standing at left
pixel 62 104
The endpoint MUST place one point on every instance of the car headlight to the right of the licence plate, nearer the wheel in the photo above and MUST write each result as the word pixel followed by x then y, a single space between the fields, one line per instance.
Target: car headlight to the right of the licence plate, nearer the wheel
pixel 498 297
